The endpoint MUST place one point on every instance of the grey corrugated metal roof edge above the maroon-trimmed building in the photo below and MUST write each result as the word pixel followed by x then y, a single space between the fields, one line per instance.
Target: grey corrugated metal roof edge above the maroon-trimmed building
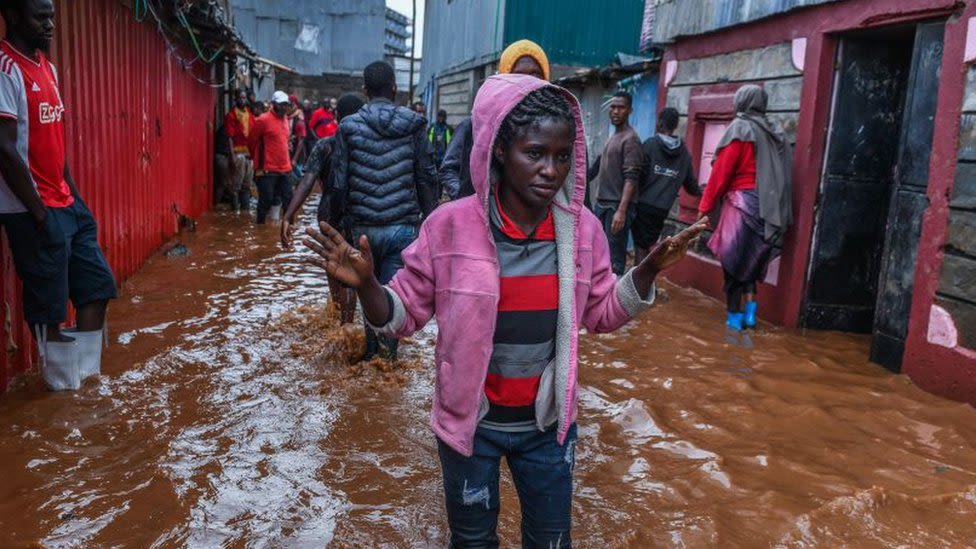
pixel 676 18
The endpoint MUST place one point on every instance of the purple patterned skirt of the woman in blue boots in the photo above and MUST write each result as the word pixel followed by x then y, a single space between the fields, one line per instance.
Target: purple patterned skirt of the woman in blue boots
pixel 738 241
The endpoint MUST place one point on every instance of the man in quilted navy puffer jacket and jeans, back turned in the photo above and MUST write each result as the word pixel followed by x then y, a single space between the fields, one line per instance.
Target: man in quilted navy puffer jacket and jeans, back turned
pixel 385 180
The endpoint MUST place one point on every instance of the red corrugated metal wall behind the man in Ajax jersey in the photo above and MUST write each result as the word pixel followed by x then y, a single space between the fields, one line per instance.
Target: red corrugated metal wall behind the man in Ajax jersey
pixel 139 141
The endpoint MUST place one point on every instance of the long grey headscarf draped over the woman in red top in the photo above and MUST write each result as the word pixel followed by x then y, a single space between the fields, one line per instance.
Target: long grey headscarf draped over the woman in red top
pixel 774 160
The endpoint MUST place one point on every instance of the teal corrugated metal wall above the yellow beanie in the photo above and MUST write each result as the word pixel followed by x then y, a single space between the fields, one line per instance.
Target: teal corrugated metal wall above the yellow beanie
pixel 577 32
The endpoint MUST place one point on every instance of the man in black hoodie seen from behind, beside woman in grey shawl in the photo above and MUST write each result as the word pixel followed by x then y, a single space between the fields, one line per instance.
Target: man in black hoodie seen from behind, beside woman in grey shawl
pixel 668 167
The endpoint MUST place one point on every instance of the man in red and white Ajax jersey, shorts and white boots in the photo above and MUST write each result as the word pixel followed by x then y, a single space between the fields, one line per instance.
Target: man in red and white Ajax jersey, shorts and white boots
pixel 51 232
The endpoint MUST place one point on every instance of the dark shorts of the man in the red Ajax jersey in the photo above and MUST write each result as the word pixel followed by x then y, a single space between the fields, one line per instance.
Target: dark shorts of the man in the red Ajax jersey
pixel 58 261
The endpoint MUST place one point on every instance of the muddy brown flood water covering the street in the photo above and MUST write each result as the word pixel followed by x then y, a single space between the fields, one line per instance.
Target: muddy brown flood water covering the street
pixel 228 416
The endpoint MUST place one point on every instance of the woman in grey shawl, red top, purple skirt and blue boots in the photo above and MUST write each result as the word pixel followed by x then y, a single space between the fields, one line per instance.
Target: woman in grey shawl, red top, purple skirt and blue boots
pixel 751 175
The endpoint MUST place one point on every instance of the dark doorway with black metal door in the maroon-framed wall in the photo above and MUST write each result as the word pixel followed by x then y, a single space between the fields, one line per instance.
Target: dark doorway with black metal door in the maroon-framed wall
pixel 872 193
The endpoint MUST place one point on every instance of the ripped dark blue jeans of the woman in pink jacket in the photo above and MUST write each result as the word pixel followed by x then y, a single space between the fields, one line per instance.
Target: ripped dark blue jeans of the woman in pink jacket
pixel 543 474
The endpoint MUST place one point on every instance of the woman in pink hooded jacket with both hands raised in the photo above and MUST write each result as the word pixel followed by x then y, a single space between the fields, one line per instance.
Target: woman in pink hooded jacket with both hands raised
pixel 511 275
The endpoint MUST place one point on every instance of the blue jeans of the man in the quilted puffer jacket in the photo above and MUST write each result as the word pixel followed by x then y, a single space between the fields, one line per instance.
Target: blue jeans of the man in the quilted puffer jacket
pixel 386 243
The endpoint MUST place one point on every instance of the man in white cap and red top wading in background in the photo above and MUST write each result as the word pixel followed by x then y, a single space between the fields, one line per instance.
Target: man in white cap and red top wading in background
pixel 269 149
